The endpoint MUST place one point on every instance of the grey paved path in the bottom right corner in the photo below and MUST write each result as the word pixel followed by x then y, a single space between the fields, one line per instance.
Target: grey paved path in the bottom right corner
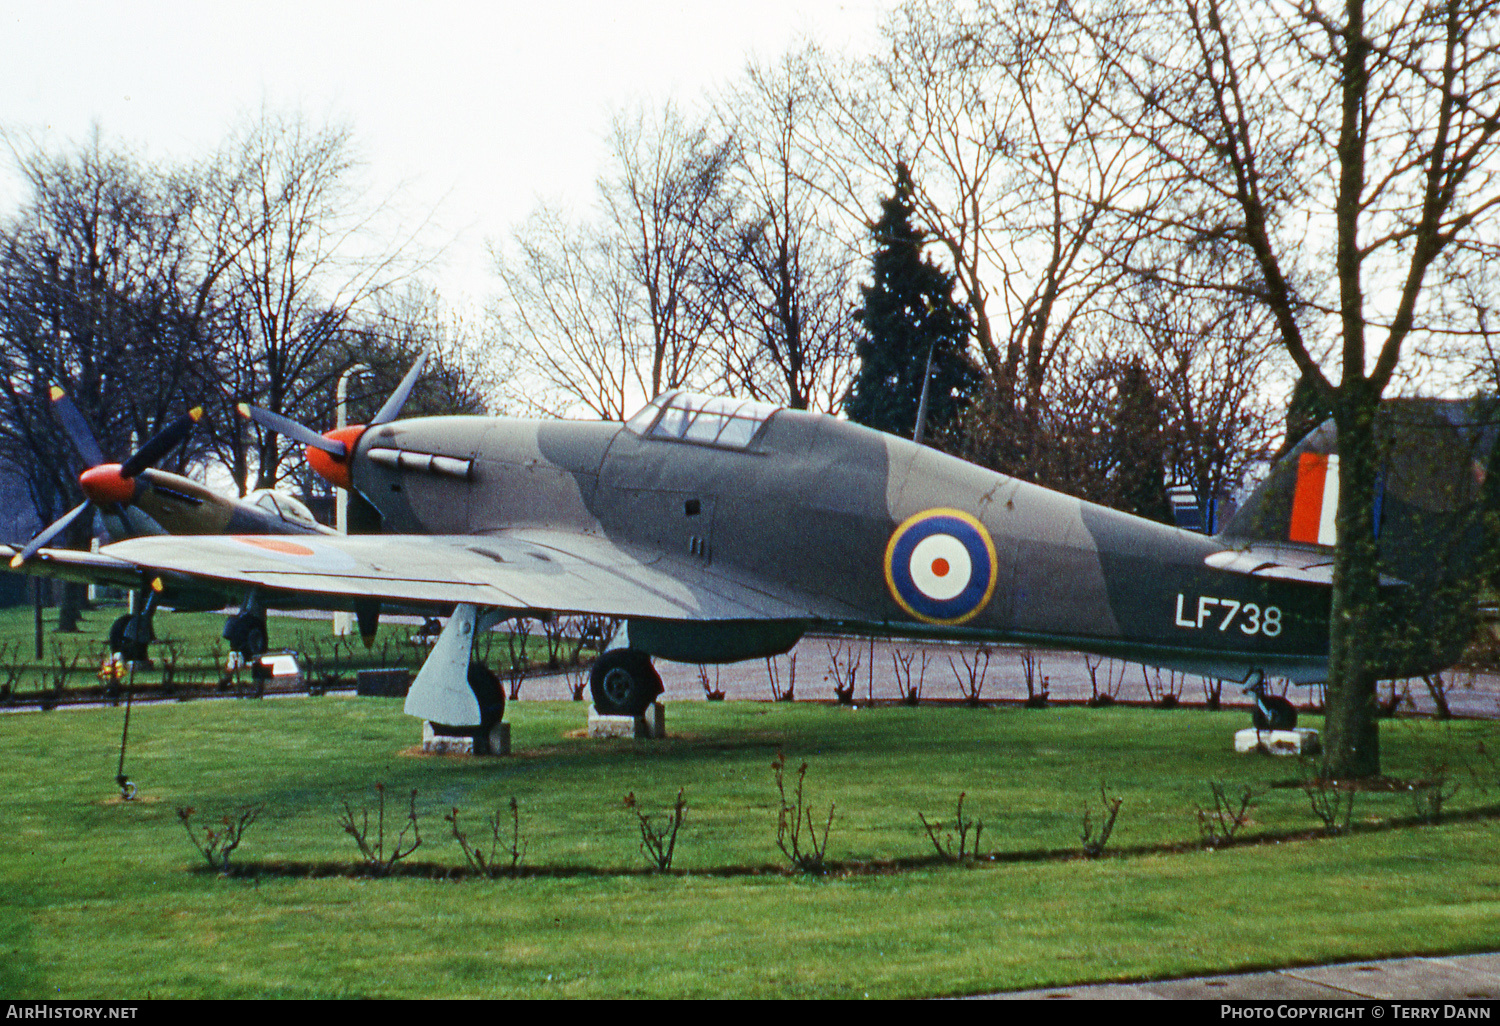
pixel 1444 979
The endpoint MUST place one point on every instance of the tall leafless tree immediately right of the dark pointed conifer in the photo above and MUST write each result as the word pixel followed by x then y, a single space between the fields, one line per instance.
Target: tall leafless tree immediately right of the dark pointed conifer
pixel 997 113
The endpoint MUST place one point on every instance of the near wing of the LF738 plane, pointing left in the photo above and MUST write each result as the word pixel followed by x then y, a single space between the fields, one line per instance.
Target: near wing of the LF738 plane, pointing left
pixel 545 571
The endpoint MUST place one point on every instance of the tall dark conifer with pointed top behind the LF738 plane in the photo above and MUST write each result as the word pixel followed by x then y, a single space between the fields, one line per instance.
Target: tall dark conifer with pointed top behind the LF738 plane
pixel 908 314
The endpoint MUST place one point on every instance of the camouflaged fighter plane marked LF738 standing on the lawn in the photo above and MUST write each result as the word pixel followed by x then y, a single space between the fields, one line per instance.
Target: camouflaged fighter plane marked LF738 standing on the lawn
pixel 721 530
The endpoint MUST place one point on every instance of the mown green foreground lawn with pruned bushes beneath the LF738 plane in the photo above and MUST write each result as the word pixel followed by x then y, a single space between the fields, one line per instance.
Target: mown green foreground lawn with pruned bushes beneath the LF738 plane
pixel 103 899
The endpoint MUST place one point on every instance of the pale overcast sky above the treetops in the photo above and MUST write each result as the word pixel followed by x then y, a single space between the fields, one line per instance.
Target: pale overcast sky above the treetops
pixel 476 110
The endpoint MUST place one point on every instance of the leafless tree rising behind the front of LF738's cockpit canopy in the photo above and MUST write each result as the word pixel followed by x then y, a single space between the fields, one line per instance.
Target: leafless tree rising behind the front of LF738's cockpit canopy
pixel 610 313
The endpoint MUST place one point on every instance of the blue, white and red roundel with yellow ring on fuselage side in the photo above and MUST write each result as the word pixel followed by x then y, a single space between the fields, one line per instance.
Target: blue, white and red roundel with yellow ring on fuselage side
pixel 940 566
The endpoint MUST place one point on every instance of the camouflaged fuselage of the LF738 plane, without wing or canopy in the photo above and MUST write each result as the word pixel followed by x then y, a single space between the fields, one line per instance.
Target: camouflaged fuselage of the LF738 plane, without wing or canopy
pixel 887 536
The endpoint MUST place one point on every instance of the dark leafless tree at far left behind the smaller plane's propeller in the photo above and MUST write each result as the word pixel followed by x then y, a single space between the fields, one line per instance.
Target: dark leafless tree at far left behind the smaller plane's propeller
pixel 106 290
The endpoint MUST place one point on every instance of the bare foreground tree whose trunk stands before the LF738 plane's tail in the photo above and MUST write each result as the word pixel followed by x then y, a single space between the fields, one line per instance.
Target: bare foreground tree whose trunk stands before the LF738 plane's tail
pixel 1348 157
